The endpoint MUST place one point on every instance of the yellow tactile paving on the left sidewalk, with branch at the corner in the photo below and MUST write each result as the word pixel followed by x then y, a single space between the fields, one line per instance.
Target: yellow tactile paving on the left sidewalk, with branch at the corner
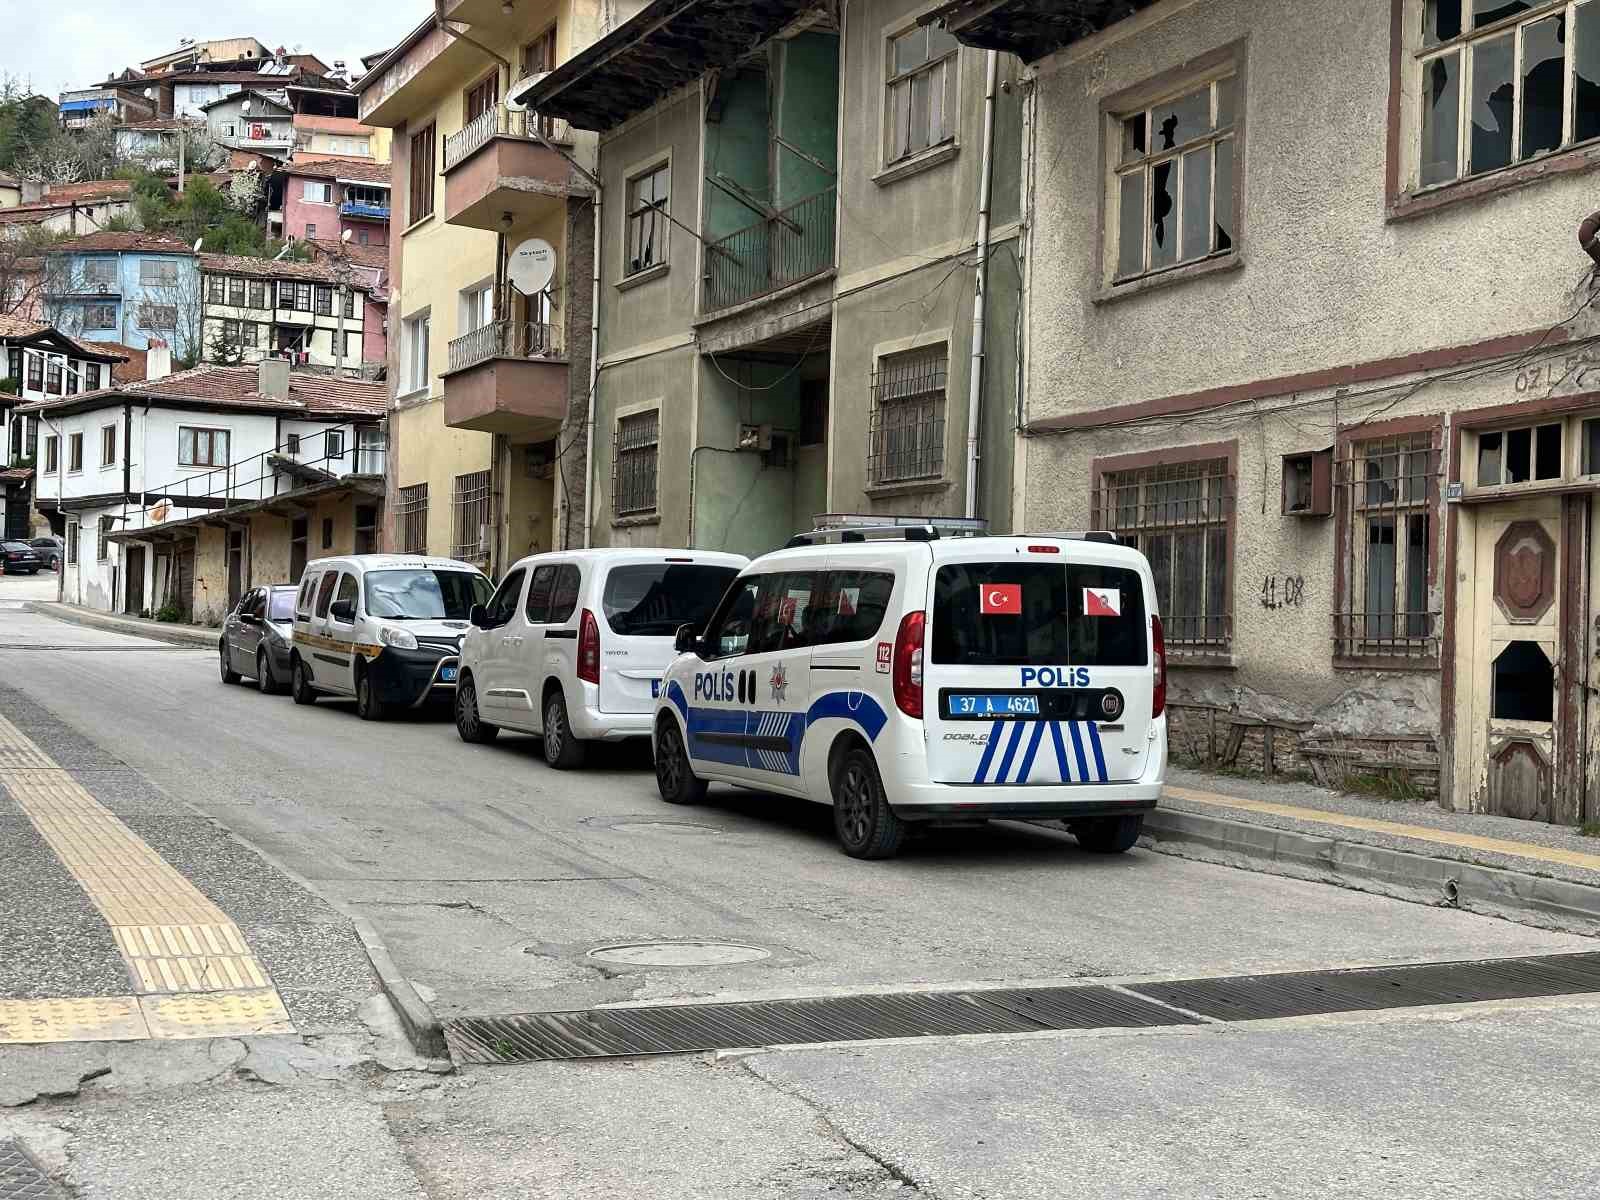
pixel 191 967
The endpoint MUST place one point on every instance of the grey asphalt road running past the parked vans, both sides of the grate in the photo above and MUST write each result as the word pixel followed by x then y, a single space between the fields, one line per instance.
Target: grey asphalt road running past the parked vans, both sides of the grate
pixel 494 878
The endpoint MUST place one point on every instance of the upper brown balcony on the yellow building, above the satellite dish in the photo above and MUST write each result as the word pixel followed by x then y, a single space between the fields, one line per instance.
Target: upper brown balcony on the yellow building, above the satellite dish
pixel 495 167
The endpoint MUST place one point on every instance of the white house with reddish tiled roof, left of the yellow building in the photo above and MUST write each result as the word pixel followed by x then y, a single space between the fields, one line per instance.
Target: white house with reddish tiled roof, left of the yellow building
pixel 188 489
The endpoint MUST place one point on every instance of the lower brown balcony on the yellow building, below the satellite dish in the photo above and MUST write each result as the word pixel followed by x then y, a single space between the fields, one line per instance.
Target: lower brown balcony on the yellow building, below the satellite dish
pixel 508 378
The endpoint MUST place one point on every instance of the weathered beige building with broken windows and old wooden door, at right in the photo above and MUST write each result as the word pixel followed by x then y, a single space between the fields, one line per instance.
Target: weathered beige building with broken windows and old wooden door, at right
pixel 1310 324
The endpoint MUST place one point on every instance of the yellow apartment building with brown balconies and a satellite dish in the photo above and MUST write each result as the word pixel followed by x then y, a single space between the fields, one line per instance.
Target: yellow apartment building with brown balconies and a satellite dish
pixel 490 284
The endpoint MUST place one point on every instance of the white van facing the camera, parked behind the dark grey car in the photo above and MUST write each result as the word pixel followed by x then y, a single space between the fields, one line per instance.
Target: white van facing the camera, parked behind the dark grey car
pixel 383 628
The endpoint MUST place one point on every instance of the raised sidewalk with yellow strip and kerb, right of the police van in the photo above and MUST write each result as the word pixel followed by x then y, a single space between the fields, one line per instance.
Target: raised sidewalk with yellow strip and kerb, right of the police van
pixel 1529 873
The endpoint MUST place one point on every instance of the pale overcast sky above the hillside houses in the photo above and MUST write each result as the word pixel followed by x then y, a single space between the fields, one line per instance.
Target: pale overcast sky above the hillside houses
pixel 55 46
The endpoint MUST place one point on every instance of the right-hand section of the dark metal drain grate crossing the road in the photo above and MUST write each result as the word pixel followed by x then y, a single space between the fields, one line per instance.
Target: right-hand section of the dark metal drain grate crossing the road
pixel 1262 998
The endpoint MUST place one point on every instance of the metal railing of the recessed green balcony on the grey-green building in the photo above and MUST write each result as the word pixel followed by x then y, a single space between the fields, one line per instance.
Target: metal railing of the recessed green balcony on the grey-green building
pixel 785 249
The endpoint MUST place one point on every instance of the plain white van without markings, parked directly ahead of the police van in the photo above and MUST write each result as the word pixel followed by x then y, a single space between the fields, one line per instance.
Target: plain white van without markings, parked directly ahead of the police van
pixel 574 644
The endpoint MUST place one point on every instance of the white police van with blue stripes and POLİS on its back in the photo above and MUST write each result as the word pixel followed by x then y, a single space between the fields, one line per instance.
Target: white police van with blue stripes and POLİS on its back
pixel 905 676
